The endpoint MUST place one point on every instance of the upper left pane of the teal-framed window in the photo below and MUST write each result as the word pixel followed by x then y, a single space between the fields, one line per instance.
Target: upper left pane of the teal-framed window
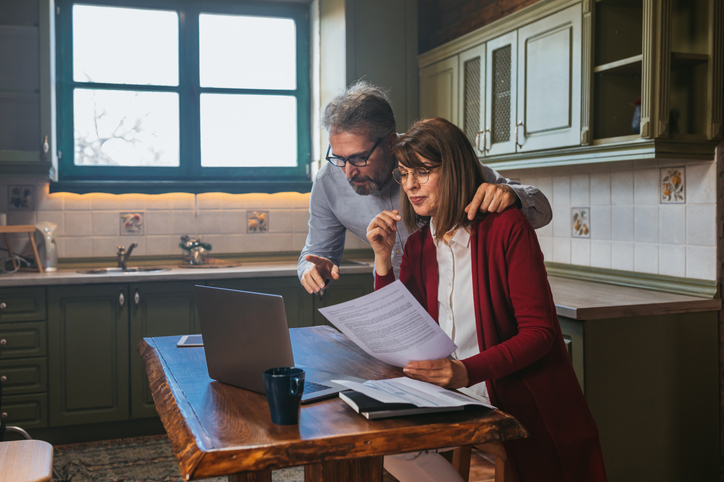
pixel 125 46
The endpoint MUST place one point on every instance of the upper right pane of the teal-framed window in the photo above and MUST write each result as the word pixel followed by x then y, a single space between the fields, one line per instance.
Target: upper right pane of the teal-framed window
pixel 247 52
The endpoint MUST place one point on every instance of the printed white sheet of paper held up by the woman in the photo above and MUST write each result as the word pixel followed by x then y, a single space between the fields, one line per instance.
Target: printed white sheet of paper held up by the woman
pixel 391 325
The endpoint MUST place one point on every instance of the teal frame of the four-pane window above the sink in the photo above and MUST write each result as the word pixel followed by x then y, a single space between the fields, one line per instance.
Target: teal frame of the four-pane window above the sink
pixel 189 175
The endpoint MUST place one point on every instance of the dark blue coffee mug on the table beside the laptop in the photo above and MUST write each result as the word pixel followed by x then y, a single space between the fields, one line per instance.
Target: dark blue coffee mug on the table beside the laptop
pixel 284 387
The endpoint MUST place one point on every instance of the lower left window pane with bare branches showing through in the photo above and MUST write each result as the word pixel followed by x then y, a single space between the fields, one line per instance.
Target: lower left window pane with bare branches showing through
pixel 123 128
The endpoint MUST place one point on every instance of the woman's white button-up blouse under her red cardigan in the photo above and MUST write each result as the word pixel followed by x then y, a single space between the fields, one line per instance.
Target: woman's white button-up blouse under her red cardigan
pixel 456 309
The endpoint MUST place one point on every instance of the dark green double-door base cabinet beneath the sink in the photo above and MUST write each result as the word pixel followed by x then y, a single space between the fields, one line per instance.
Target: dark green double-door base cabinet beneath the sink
pixel 96 374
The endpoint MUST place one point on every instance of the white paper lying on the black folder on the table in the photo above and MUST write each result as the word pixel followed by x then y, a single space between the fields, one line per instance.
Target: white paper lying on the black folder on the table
pixel 408 390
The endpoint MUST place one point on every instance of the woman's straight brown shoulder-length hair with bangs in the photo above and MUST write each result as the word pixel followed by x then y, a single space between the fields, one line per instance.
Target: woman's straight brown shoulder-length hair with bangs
pixel 443 144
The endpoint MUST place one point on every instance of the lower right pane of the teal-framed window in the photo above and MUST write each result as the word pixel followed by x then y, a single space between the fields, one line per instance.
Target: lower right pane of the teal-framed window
pixel 248 130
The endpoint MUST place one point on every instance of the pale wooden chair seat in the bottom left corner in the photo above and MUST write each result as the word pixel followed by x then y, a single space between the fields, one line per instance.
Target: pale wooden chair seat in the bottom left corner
pixel 26 461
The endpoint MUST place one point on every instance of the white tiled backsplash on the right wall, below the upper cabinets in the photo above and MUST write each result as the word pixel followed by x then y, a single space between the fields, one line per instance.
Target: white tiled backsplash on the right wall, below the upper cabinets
pixel 631 225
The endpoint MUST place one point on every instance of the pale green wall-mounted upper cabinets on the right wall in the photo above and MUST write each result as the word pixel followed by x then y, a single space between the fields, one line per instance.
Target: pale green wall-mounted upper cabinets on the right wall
pixel 562 82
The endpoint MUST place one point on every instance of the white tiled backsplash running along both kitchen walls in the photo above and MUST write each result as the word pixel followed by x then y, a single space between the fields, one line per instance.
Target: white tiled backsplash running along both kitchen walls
pixel 631 223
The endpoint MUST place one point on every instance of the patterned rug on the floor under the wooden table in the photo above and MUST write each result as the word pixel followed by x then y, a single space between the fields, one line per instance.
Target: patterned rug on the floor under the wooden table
pixel 136 459
